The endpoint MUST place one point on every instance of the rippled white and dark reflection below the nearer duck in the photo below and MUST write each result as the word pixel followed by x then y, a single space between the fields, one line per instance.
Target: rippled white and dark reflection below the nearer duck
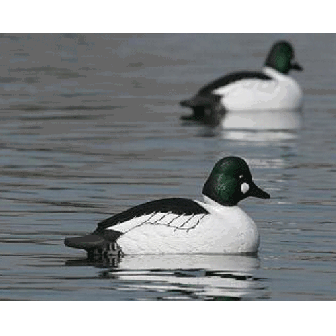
pixel 181 277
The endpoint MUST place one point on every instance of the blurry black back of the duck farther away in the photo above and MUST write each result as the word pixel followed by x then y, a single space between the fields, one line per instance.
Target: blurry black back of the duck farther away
pixel 231 78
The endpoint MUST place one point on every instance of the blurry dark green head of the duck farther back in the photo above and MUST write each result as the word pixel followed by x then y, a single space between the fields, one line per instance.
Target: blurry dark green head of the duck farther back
pixel 281 58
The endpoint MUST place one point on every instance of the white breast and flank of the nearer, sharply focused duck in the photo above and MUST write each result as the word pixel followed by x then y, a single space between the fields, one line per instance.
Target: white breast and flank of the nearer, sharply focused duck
pixel 217 229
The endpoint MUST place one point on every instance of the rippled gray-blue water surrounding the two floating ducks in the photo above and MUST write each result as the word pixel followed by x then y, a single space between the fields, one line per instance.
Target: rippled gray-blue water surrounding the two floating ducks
pixel 90 127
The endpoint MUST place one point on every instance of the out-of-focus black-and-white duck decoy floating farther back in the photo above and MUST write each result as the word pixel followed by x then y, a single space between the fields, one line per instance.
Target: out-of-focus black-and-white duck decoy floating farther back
pixel 268 89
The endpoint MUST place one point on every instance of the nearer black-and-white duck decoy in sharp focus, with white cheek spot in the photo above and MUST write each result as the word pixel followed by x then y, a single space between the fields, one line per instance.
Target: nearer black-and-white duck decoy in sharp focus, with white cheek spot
pixel 180 225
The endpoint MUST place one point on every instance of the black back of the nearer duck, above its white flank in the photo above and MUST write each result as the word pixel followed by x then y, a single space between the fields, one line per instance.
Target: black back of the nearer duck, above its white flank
pixel 178 206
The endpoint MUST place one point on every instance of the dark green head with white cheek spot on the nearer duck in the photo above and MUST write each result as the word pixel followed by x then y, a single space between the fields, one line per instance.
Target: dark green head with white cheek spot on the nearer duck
pixel 230 182
